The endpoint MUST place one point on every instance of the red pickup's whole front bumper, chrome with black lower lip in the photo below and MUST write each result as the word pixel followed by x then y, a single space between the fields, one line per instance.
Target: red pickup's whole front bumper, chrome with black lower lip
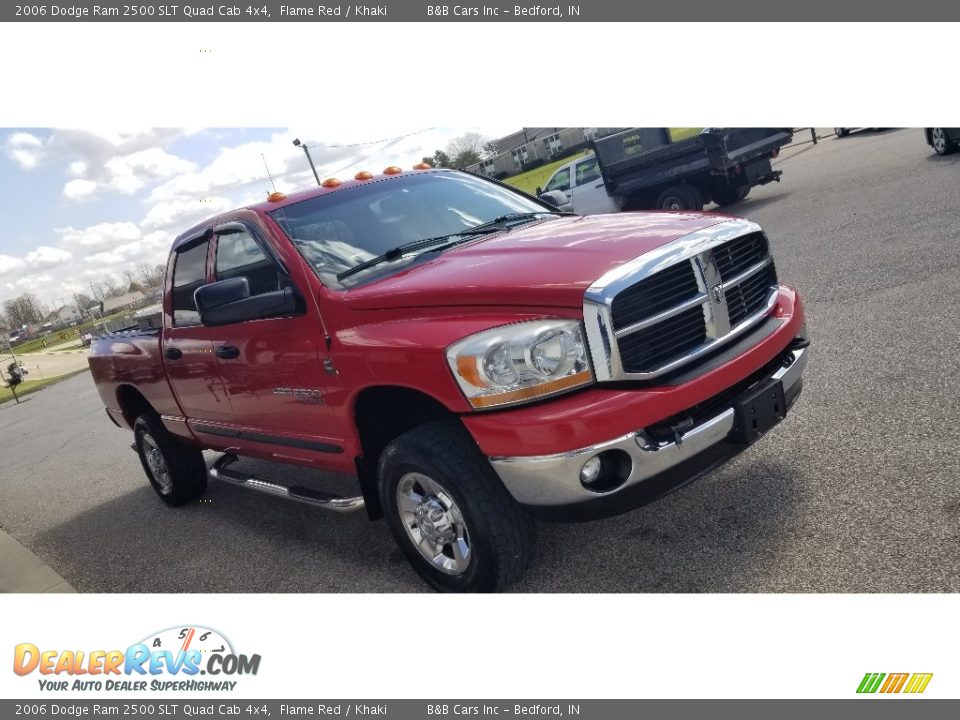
pixel 550 484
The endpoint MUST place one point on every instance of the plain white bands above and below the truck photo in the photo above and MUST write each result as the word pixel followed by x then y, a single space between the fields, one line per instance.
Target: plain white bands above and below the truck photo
pixel 460 74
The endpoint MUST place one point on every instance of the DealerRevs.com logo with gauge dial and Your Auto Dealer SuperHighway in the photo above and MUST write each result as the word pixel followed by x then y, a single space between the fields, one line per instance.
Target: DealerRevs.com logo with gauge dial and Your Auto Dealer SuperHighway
pixel 172 659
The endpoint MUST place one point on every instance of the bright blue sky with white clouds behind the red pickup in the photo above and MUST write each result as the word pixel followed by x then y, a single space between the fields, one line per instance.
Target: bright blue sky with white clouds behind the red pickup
pixel 82 205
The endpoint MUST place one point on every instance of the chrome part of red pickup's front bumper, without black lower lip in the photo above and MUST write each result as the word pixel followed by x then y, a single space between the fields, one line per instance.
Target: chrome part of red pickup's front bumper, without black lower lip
pixel 554 480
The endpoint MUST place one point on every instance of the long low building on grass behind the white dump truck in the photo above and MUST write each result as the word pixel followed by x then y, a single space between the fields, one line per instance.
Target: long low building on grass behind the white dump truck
pixel 531 147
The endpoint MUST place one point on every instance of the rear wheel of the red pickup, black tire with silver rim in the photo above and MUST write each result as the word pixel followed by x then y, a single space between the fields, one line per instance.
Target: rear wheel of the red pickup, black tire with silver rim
pixel 186 472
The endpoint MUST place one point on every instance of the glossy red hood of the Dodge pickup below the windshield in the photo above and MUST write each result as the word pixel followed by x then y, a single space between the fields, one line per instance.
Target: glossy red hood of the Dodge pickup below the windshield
pixel 550 263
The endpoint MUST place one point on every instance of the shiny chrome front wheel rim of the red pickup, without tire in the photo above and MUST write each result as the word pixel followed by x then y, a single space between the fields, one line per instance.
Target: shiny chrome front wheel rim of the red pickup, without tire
pixel 434 523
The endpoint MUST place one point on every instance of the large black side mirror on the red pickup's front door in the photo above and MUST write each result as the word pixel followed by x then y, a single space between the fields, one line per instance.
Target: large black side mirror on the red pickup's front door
pixel 229 301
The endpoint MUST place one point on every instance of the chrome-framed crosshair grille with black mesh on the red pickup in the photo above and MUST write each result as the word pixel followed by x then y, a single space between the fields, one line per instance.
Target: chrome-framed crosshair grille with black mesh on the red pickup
pixel 669 307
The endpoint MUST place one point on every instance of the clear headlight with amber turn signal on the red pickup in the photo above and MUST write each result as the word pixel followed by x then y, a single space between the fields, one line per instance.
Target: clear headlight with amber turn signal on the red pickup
pixel 521 362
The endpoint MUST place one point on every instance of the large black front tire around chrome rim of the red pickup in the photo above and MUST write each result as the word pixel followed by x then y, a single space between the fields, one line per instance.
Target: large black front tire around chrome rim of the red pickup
pixel 500 534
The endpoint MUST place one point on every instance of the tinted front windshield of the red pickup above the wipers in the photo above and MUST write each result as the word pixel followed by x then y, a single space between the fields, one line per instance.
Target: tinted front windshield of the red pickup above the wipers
pixel 340 230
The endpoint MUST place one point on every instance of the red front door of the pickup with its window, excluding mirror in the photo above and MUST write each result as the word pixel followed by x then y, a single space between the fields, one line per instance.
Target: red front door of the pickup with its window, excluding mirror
pixel 271 368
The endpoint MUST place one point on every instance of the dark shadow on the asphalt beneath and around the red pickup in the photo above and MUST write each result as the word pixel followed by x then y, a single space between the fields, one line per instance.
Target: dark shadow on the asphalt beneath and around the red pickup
pixel 703 538
